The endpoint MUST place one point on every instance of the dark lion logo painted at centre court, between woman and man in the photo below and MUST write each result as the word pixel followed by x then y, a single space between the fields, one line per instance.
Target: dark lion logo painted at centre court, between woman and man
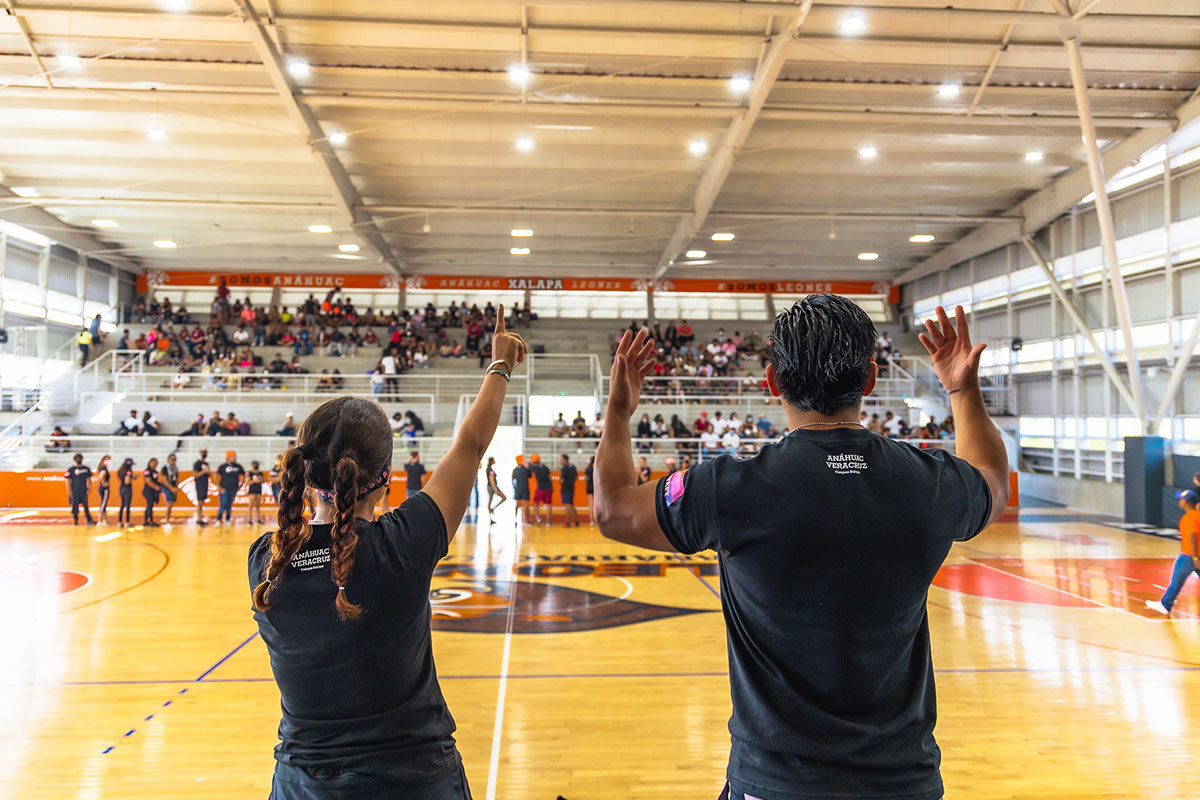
pixel 484 607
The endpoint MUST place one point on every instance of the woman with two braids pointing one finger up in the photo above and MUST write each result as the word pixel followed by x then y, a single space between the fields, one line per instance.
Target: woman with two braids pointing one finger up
pixel 343 604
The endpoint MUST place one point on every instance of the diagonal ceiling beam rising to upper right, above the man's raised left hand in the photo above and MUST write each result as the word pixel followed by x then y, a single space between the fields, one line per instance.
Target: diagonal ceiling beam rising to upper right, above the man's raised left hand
pixel 718 170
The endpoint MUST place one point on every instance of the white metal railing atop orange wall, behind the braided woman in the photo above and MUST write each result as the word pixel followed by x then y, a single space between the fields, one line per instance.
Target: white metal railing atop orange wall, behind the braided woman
pixel 35 453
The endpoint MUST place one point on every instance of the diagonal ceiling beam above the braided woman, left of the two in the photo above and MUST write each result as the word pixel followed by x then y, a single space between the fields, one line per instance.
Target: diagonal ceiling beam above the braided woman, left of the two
pixel 345 193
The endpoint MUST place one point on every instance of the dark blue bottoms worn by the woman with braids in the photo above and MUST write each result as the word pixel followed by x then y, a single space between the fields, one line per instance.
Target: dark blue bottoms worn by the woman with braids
pixel 315 784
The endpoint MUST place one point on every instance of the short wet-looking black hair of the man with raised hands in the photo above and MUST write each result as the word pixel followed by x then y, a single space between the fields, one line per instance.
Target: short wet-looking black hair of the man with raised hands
pixel 821 350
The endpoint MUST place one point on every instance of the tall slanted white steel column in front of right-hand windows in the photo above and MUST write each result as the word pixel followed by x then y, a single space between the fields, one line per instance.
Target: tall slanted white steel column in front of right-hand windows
pixel 1105 216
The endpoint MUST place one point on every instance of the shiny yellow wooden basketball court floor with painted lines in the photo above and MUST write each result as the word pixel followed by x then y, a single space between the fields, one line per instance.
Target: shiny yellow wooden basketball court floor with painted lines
pixel 130 666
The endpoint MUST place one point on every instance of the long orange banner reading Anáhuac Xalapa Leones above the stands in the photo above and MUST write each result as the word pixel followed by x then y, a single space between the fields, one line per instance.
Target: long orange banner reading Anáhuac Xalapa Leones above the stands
pixel 520 284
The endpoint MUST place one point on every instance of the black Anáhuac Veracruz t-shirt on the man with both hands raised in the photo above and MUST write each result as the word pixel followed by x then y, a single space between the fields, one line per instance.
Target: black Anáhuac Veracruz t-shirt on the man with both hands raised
pixel 829 543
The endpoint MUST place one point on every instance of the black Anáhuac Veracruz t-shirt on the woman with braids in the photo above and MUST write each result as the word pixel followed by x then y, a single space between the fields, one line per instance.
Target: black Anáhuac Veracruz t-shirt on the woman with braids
pixel 361 695
